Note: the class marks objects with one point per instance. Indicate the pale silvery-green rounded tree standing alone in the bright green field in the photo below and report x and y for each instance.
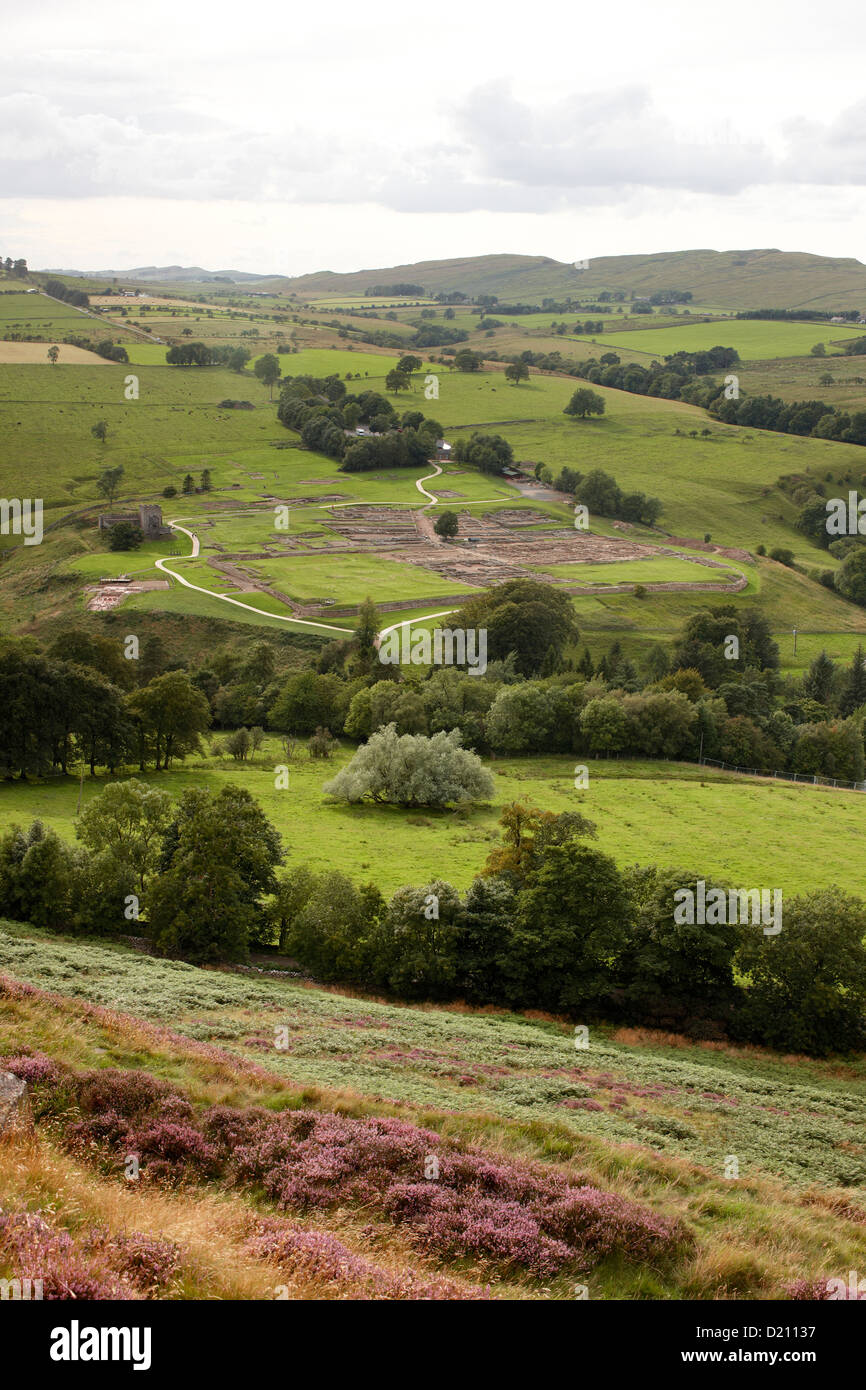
(414, 771)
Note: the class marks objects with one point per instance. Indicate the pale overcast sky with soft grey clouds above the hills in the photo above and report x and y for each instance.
(288, 140)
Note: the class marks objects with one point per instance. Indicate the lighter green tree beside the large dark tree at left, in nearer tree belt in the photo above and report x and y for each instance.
(129, 819)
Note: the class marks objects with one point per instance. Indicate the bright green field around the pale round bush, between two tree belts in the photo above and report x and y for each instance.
(747, 831)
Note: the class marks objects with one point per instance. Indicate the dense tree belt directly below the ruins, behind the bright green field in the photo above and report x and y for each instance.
(718, 693)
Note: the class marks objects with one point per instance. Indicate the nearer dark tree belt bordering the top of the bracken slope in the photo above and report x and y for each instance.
(550, 924)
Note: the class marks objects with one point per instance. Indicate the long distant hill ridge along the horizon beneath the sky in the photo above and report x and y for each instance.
(730, 280)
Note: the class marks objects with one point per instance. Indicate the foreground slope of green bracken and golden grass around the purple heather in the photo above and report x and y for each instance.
(662, 1125)
